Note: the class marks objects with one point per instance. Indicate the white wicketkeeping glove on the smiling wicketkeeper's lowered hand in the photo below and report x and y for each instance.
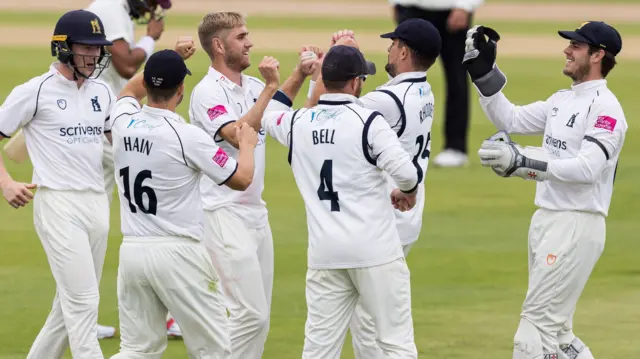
(508, 159)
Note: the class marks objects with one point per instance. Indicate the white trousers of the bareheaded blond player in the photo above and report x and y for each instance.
(243, 258)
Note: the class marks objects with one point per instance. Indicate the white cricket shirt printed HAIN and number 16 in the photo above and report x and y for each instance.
(158, 160)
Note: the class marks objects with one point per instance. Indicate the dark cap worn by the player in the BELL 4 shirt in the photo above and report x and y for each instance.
(342, 63)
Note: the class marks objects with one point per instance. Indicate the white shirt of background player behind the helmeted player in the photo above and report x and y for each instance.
(117, 23)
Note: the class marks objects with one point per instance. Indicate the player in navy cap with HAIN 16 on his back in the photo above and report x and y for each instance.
(159, 159)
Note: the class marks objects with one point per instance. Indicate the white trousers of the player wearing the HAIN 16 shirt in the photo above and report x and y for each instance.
(157, 274)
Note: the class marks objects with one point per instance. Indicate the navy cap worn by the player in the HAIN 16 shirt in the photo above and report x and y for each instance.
(165, 69)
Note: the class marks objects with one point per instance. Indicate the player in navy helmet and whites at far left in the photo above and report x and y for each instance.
(63, 113)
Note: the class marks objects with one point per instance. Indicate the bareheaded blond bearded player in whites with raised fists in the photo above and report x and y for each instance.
(236, 222)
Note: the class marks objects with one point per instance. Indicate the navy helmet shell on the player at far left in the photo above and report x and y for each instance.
(80, 27)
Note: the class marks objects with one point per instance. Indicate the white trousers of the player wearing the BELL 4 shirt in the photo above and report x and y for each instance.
(332, 294)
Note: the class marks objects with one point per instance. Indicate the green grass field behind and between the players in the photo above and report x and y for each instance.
(469, 270)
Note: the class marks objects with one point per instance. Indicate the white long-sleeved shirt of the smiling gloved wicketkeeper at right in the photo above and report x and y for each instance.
(584, 130)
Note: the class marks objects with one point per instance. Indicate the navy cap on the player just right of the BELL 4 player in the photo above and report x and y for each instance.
(420, 35)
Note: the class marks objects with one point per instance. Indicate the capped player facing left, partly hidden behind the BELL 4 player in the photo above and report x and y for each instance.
(406, 103)
